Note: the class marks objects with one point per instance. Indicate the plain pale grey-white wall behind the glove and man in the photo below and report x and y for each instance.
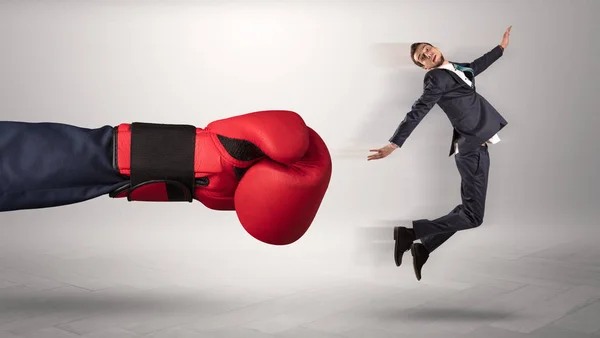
(343, 65)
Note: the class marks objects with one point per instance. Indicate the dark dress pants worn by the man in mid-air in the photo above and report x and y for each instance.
(473, 168)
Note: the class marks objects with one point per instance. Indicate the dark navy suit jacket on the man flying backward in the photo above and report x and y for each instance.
(474, 119)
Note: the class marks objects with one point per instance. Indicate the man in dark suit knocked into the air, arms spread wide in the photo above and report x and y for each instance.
(476, 124)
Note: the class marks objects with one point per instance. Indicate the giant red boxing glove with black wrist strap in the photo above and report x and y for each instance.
(268, 166)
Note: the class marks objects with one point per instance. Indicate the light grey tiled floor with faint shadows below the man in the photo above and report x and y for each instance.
(63, 277)
